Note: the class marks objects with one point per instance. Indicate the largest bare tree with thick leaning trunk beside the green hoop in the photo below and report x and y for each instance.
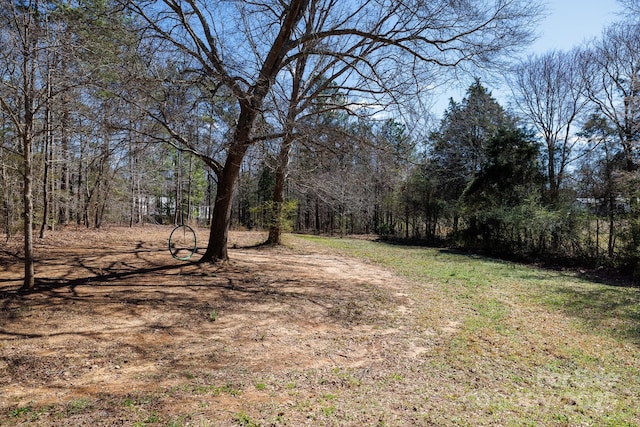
(244, 46)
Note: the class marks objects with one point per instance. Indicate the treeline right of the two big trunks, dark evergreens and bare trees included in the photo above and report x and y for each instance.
(555, 180)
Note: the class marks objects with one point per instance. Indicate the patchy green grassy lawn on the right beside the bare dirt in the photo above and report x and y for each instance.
(508, 344)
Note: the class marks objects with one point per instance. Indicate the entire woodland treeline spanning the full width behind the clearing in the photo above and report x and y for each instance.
(103, 122)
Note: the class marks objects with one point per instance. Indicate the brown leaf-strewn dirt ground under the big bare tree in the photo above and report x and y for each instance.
(120, 333)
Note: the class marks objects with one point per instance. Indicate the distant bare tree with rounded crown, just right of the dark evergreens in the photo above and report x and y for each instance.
(548, 89)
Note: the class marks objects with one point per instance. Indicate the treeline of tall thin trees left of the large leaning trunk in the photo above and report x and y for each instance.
(78, 144)
